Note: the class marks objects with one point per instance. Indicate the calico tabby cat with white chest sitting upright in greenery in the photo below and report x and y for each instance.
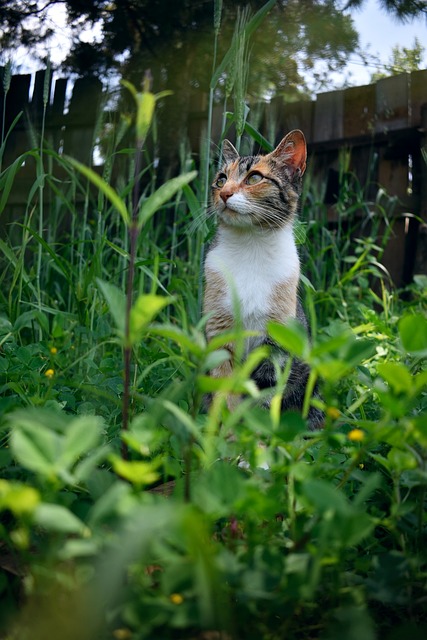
(254, 257)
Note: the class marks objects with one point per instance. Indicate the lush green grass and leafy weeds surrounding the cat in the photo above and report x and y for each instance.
(216, 524)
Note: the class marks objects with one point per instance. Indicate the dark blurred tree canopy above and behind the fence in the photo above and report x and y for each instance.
(175, 40)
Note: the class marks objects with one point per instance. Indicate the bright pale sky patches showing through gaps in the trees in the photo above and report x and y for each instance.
(378, 33)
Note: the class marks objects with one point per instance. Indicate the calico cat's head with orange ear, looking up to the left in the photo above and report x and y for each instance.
(260, 191)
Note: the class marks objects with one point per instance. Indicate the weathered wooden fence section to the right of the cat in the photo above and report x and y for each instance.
(384, 128)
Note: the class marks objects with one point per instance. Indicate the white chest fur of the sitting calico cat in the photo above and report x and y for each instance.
(253, 262)
